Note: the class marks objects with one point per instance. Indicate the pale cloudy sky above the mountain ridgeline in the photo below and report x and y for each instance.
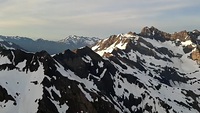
(57, 19)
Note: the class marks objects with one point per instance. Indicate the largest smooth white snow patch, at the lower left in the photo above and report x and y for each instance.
(20, 86)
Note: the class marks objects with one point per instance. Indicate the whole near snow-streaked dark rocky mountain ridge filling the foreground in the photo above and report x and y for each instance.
(149, 72)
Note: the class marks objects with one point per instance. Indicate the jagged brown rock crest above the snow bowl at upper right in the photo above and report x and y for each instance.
(177, 37)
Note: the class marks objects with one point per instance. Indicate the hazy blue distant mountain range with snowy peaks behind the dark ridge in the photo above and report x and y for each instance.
(52, 47)
